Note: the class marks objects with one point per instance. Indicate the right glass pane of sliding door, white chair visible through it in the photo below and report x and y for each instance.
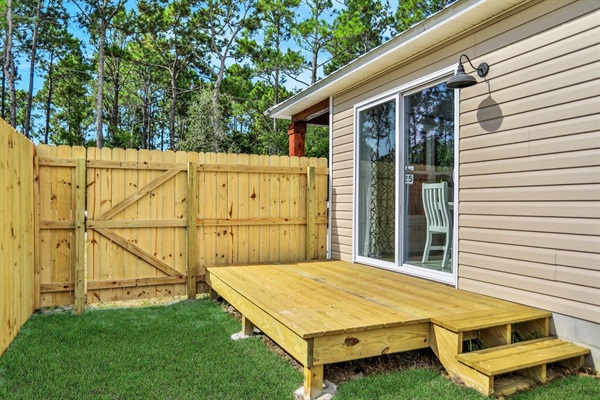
(429, 159)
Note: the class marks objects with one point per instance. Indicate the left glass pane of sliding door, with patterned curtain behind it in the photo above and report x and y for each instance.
(376, 181)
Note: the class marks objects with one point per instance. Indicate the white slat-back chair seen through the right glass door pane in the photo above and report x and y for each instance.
(439, 219)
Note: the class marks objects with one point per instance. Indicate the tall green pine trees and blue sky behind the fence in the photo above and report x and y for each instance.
(180, 74)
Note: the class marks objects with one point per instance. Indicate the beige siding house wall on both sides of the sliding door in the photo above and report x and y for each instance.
(529, 151)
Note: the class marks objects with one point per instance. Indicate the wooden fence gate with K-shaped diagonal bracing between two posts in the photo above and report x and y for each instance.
(136, 220)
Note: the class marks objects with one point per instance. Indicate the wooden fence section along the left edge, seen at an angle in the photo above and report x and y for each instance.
(16, 232)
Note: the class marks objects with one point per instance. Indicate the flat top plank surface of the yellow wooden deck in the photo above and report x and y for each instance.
(331, 297)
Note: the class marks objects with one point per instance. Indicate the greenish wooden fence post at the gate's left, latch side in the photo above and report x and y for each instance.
(80, 235)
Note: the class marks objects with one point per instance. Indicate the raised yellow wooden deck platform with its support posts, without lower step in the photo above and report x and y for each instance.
(324, 312)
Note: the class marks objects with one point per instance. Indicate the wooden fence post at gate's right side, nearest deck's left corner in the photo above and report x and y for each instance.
(192, 240)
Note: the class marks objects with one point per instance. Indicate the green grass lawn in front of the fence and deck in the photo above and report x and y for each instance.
(184, 351)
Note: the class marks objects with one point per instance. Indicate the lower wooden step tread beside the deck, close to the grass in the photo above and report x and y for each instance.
(522, 355)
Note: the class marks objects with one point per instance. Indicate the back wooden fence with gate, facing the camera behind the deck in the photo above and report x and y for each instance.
(155, 219)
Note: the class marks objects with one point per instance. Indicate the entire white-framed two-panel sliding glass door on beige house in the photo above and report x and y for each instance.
(405, 155)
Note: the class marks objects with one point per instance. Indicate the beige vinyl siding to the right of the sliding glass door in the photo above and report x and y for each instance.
(529, 225)
